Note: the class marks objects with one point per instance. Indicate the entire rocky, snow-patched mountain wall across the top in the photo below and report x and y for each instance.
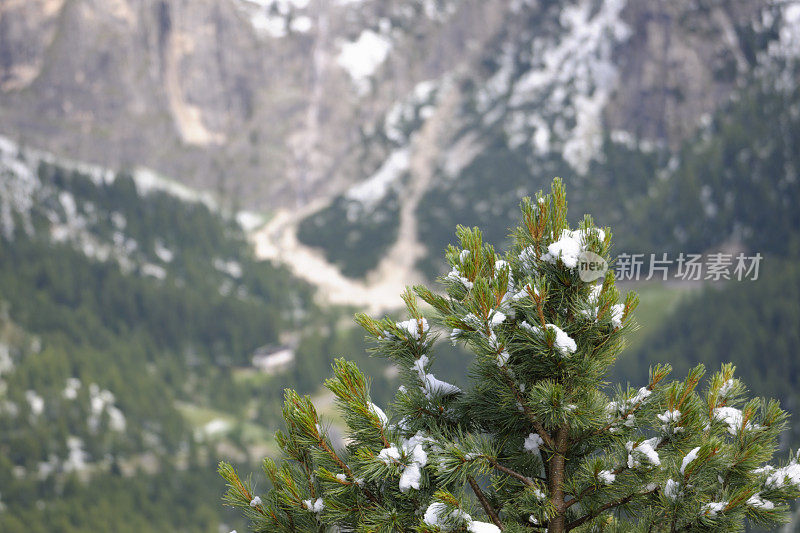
(355, 118)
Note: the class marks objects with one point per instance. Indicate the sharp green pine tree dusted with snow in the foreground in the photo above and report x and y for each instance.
(538, 441)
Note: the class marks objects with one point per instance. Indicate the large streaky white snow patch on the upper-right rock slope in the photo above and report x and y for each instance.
(558, 102)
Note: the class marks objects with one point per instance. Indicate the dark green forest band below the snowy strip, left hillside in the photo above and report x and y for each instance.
(61, 290)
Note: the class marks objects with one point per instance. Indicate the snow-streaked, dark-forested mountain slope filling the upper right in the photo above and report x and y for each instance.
(575, 92)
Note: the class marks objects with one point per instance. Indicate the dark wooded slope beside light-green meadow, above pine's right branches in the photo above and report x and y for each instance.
(752, 324)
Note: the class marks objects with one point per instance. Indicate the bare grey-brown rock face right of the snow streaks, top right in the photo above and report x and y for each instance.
(679, 63)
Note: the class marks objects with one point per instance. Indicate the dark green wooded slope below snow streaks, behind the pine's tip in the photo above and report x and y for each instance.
(486, 191)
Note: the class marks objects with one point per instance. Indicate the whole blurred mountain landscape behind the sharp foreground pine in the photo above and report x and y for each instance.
(196, 195)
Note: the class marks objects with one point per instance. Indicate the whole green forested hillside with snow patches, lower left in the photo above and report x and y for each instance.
(126, 315)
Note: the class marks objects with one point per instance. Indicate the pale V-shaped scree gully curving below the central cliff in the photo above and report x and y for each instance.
(380, 292)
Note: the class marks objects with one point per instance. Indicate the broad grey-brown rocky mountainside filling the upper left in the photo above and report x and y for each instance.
(273, 92)
